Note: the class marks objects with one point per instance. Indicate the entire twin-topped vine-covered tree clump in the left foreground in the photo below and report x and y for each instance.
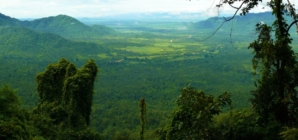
(66, 95)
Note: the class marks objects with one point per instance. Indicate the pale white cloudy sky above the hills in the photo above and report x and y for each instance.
(105, 8)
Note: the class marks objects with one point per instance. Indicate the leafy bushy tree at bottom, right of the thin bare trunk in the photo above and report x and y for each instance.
(193, 117)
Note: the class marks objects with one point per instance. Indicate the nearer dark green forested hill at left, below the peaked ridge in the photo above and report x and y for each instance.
(23, 42)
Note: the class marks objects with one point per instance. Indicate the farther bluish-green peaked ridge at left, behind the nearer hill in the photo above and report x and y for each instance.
(62, 25)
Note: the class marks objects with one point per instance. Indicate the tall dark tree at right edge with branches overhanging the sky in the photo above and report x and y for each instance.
(275, 96)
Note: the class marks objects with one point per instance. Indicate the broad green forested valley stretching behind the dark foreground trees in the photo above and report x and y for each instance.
(154, 63)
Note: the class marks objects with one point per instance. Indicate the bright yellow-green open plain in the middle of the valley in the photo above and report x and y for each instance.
(174, 46)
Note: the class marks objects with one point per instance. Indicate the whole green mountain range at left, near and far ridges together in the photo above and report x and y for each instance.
(48, 38)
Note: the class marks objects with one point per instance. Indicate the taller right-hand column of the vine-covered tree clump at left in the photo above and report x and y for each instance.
(78, 91)
